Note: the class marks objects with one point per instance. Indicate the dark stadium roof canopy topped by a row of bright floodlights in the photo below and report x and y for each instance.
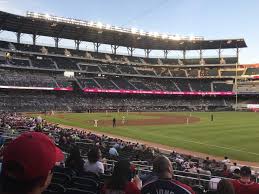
(59, 27)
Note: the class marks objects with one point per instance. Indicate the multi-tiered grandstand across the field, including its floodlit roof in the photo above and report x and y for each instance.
(34, 77)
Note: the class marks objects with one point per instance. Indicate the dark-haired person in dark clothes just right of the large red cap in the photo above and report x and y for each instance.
(74, 160)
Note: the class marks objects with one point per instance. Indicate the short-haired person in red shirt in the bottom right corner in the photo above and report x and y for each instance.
(245, 185)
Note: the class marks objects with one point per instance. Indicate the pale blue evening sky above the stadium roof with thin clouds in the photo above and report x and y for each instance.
(212, 19)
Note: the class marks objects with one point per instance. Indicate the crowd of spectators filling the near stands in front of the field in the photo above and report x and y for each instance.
(39, 157)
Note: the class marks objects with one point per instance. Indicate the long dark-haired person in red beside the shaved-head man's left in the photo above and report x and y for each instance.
(120, 182)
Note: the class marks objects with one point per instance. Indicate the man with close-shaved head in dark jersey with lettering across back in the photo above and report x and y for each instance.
(162, 167)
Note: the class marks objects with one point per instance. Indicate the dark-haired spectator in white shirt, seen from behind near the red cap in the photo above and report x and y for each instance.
(93, 163)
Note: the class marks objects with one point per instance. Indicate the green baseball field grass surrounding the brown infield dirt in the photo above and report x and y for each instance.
(235, 134)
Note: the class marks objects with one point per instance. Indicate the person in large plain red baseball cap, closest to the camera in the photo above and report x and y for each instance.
(27, 164)
